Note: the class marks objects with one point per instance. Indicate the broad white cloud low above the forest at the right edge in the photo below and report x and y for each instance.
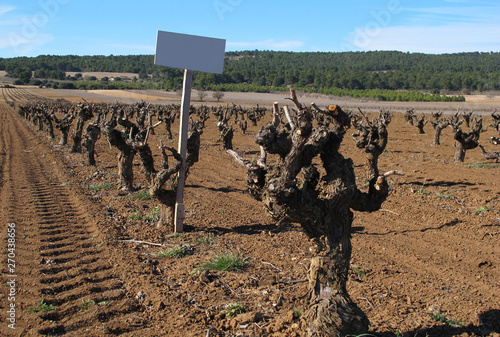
(451, 38)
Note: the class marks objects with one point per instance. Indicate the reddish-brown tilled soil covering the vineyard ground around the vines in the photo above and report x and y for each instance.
(432, 249)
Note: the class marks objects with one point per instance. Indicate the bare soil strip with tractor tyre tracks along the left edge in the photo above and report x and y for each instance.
(58, 256)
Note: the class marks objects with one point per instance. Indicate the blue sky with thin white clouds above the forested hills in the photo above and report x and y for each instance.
(90, 27)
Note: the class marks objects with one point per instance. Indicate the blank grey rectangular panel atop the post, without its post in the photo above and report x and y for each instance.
(190, 52)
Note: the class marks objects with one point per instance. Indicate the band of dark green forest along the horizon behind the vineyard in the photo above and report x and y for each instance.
(381, 75)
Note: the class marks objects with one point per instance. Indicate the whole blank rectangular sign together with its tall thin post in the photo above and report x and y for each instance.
(188, 52)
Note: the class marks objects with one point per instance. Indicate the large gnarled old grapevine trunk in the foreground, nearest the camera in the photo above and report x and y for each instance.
(321, 204)
